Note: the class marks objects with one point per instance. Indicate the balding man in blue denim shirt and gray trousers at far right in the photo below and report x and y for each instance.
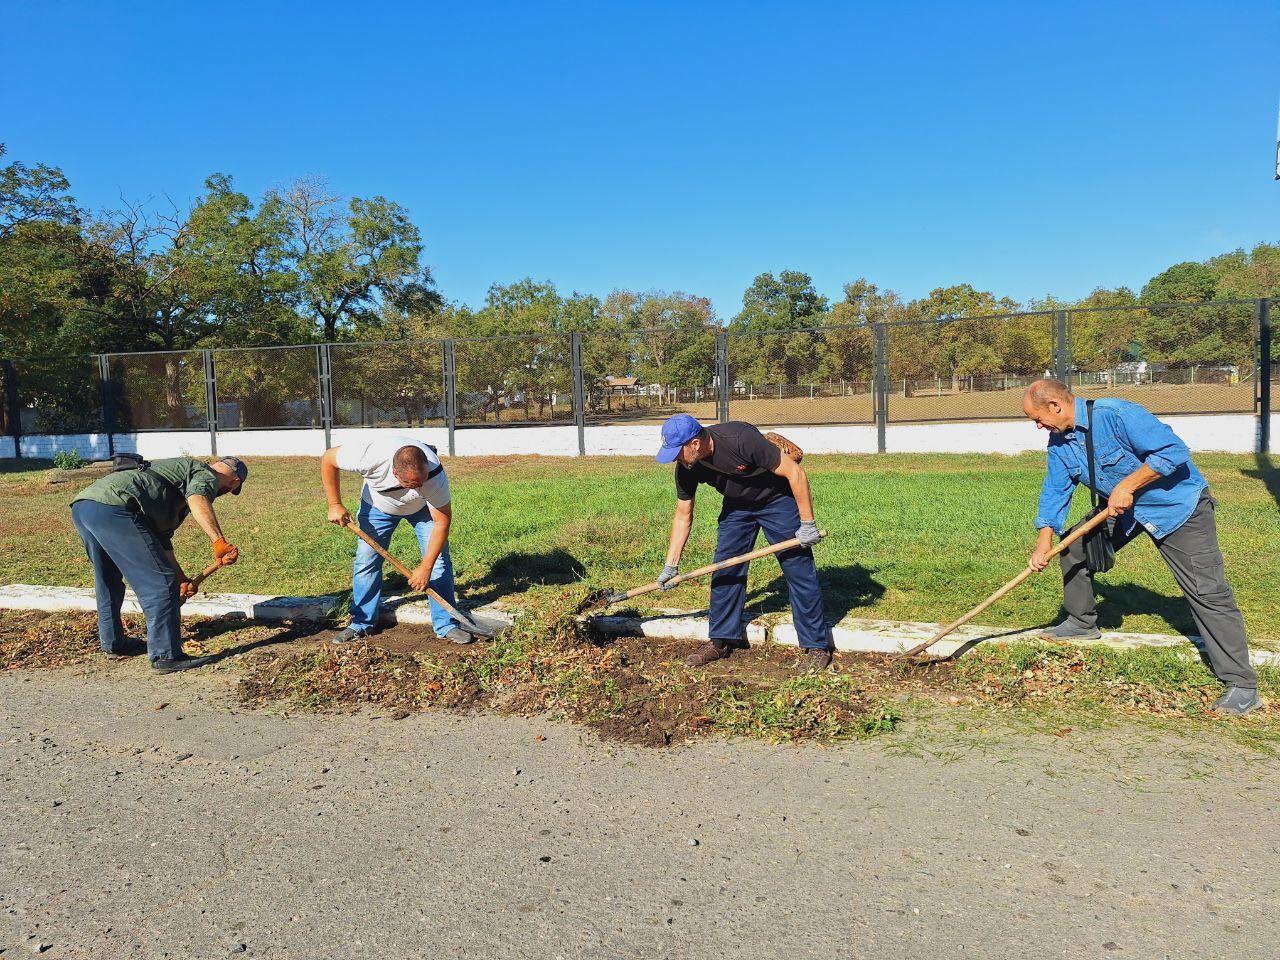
(1151, 486)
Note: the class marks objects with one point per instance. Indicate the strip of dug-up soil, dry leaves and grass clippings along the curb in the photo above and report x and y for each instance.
(638, 691)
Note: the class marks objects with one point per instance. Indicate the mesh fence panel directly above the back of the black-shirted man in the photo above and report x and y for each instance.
(812, 377)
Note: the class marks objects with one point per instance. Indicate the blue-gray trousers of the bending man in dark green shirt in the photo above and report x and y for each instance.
(122, 547)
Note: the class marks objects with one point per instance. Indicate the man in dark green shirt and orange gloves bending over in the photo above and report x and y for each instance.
(127, 520)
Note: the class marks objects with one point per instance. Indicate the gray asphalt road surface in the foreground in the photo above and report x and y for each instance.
(193, 830)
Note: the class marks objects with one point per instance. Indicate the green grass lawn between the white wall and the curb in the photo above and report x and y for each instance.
(913, 537)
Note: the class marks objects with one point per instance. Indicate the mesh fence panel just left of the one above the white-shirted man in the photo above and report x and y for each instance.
(273, 387)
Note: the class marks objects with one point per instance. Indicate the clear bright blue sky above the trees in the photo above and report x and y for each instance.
(1023, 148)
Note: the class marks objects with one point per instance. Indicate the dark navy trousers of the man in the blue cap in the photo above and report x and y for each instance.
(780, 519)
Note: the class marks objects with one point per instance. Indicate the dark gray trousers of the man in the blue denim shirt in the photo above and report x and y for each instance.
(1196, 560)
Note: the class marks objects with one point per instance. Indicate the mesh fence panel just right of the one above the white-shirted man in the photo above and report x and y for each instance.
(514, 381)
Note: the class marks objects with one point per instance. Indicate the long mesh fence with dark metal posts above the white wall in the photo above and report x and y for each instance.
(1199, 359)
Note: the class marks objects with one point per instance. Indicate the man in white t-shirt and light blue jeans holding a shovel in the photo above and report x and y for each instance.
(404, 481)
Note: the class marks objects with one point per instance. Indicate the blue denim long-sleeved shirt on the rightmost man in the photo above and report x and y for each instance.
(1126, 436)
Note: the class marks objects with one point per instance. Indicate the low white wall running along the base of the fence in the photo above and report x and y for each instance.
(1229, 433)
